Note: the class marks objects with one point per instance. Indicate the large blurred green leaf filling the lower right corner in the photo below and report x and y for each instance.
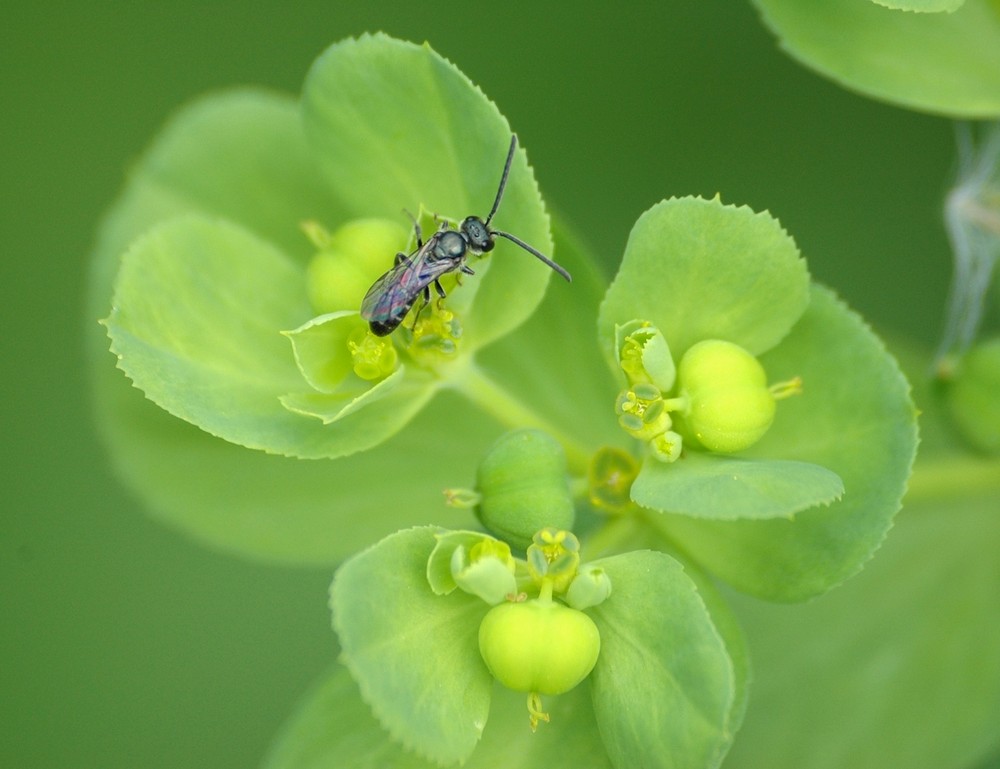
(899, 666)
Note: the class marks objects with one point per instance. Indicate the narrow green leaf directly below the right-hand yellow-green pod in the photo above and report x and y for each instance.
(728, 488)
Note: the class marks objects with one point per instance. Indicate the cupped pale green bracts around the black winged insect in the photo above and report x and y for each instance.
(200, 301)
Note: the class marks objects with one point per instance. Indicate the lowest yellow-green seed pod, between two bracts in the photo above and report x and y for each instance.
(539, 645)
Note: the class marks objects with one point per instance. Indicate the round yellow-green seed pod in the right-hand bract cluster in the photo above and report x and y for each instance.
(730, 406)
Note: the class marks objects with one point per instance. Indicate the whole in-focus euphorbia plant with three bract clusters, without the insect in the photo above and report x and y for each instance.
(728, 420)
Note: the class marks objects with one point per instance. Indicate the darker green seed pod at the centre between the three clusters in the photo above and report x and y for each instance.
(523, 487)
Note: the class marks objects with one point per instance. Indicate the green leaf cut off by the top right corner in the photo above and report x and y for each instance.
(947, 63)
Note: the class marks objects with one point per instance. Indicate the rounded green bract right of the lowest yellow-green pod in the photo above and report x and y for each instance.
(664, 685)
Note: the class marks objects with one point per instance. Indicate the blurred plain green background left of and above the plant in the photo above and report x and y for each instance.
(123, 644)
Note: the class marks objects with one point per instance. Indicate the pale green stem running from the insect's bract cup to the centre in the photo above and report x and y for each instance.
(490, 396)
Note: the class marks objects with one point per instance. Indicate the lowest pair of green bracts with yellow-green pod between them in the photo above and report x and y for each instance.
(417, 648)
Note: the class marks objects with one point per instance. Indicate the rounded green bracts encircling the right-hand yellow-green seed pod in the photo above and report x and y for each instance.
(697, 270)
